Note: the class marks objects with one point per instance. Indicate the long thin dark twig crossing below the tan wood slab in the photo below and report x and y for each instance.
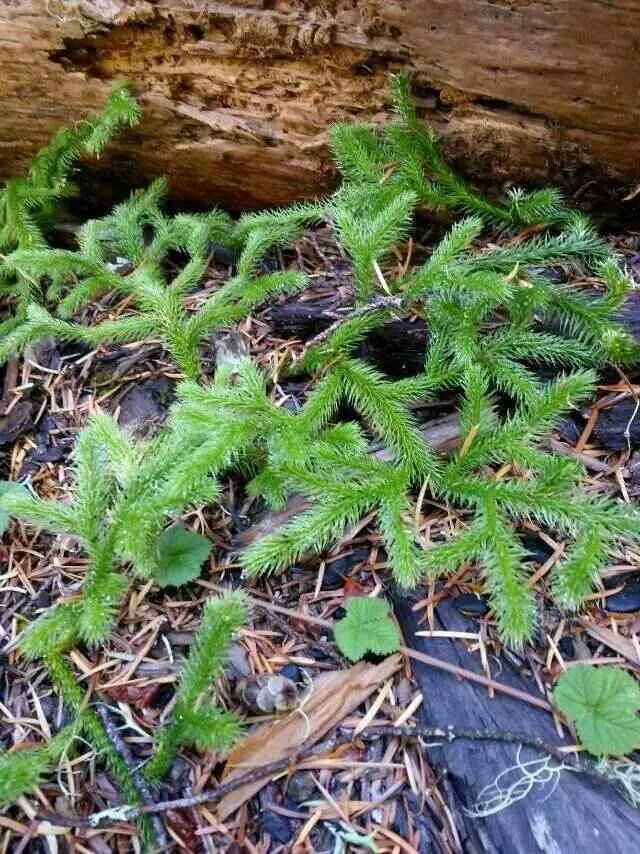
(437, 734)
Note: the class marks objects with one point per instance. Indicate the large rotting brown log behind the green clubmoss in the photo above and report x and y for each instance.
(238, 96)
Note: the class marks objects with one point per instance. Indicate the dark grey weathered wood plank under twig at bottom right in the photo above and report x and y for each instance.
(573, 816)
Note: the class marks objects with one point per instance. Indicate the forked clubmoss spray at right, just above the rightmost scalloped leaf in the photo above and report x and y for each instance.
(537, 487)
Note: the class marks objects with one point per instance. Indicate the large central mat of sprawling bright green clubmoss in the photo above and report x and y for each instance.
(494, 320)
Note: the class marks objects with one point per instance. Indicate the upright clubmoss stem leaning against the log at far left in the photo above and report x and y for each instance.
(28, 204)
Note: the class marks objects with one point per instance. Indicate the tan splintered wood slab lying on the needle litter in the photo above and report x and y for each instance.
(333, 696)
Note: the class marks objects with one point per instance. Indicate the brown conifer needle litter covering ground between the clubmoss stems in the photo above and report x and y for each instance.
(388, 792)
